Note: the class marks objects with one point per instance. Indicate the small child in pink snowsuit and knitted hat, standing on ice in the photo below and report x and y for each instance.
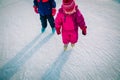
(67, 21)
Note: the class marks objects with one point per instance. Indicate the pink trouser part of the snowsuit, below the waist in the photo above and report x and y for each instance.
(69, 36)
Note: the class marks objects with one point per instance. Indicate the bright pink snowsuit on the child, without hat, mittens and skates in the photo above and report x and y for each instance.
(69, 24)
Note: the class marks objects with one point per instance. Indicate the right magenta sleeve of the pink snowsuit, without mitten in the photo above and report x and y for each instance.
(80, 20)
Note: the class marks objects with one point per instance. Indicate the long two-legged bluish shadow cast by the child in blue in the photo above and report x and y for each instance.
(11, 67)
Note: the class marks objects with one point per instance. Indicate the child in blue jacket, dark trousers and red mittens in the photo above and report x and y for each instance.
(46, 9)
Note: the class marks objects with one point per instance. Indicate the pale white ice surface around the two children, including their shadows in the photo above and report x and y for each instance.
(26, 54)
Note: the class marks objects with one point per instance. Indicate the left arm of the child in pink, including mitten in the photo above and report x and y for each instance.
(58, 23)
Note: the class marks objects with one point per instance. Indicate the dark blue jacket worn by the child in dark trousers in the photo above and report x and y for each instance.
(45, 8)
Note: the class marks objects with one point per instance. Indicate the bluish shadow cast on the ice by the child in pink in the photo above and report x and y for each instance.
(53, 73)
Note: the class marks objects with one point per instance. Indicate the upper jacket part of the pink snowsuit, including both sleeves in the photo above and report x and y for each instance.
(69, 21)
